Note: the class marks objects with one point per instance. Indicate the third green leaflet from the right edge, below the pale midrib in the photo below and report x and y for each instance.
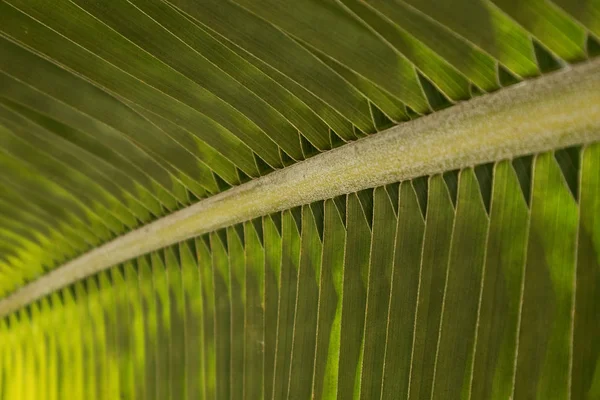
(499, 312)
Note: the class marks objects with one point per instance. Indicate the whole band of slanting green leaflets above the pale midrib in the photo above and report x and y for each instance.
(115, 114)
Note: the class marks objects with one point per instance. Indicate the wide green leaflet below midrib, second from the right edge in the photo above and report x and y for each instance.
(546, 335)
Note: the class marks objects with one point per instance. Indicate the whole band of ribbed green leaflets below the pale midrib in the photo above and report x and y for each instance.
(361, 296)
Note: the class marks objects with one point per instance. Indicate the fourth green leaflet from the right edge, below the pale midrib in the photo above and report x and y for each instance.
(460, 306)
